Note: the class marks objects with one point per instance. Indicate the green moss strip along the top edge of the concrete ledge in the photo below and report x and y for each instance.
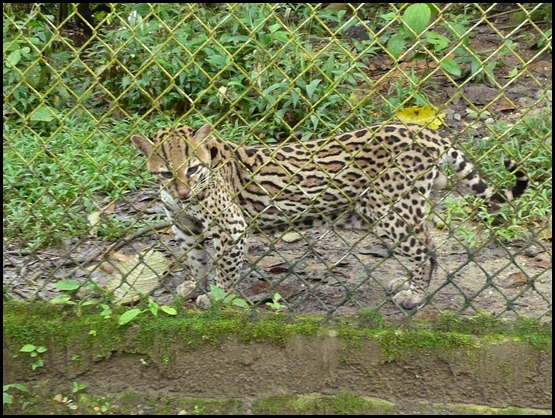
(48, 325)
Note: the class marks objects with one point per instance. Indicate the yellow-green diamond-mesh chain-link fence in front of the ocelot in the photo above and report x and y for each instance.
(84, 223)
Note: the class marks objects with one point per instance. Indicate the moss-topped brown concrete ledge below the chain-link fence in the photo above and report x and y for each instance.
(244, 356)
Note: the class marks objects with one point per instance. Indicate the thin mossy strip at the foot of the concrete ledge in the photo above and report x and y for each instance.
(133, 403)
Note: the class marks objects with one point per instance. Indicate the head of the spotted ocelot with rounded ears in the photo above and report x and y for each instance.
(180, 158)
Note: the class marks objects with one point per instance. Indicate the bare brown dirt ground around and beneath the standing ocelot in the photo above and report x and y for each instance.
(320, 271)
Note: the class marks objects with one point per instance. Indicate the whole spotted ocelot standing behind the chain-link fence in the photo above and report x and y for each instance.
(382, 175)
